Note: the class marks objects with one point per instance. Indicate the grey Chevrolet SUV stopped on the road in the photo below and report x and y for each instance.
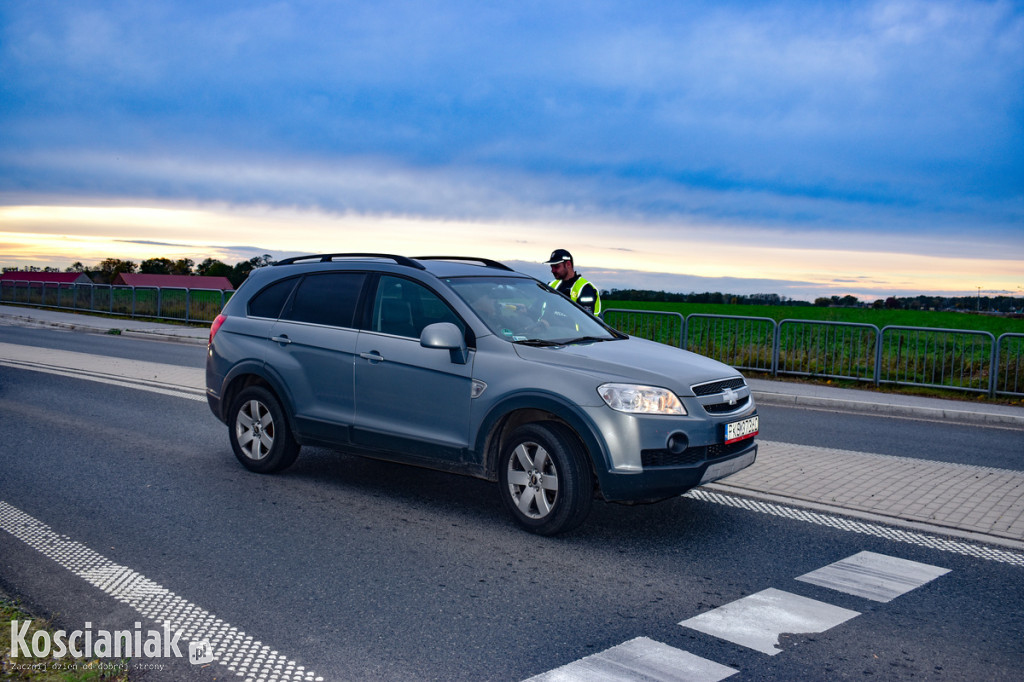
(466, 366)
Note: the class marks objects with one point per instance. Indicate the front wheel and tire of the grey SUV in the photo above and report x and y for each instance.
(544, 479)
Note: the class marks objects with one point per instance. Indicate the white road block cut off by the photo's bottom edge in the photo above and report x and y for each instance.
(636, 661)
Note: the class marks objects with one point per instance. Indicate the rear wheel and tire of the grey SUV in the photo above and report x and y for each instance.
(260, 433)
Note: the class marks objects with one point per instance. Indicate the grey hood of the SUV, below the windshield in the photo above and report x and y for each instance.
(633, 361)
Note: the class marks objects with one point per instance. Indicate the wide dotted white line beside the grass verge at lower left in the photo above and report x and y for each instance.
(232, 648)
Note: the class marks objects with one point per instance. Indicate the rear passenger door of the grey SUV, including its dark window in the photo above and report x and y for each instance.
(313, 347)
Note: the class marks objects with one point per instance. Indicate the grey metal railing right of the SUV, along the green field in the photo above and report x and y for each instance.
(949, 359)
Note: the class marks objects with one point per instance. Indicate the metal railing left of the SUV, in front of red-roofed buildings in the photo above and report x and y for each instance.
(160, 304)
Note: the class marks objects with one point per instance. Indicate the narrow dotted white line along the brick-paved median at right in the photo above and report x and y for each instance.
(898, 535)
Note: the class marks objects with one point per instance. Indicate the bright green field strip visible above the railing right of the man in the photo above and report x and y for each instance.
(935, 320)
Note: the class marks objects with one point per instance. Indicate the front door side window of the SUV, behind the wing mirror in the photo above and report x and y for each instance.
(404, 308)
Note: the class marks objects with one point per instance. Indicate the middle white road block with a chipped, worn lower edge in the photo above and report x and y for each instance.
(757, 622)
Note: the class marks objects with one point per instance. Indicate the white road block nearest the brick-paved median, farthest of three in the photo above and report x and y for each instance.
(874, 577)
